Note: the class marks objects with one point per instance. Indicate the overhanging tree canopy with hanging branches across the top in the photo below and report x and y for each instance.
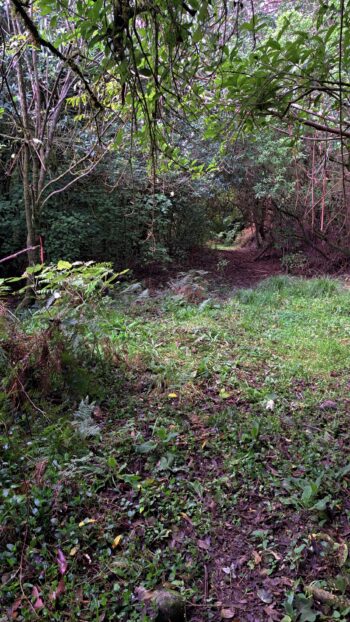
(181, 86)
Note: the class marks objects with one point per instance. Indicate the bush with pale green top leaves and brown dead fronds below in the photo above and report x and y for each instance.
(44, 350)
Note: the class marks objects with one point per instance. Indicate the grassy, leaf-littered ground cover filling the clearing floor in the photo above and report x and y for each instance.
(211, 458)
